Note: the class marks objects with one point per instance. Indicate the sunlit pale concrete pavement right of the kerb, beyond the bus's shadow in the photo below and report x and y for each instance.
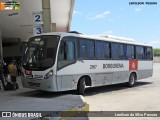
(145, 96)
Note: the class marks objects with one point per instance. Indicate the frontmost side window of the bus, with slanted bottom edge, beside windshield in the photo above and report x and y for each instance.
(66, 54)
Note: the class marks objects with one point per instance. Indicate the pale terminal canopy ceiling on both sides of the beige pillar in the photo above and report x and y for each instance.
(19, 23)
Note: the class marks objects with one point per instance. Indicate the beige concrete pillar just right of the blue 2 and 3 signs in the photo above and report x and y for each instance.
(46, 16)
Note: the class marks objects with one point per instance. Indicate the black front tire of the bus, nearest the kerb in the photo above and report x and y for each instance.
(81, 86)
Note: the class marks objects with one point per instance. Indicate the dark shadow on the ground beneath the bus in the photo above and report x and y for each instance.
(88, 91)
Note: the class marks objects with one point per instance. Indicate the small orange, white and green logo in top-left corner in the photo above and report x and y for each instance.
(10, 5)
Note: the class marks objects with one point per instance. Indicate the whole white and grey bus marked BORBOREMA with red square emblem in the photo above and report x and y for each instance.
(71, 61)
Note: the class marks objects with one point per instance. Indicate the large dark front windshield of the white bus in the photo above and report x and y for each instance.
(40, 52)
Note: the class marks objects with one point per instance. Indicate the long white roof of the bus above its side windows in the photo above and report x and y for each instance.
(108, 38)
